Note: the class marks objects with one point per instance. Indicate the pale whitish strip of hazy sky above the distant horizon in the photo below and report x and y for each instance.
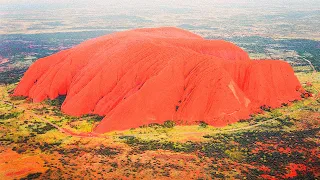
(294, 4)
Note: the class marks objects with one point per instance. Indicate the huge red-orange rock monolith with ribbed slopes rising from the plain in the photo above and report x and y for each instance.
(148, 76)
